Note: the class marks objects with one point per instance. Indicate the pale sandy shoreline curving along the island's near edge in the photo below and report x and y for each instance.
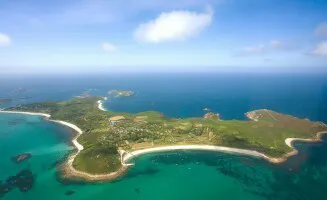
(68, 171)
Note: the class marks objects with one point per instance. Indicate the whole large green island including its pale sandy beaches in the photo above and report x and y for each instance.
(105, 141)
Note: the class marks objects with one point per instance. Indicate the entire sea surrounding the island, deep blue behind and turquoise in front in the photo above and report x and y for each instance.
(190, 175)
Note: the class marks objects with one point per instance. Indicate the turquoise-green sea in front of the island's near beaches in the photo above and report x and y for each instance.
(171, 175)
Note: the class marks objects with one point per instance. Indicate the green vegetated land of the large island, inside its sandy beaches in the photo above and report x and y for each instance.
(106, 132)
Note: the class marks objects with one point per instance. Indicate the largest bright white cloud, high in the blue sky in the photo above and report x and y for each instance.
(174, 26)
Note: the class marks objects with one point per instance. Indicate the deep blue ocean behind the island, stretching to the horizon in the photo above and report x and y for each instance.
(184, 95)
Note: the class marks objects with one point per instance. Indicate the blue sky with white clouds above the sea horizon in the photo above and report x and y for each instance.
(162, 35)
